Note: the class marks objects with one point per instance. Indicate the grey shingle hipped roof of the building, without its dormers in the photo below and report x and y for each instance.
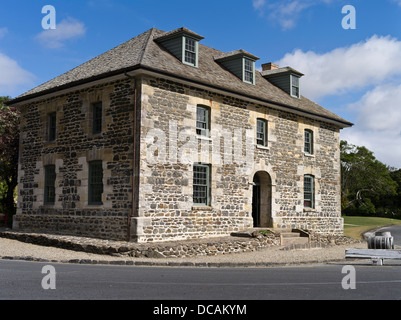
(143, 51)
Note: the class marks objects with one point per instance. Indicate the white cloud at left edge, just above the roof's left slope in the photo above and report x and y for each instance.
(14, 79)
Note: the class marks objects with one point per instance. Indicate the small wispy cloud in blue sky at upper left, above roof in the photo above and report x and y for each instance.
(65, 30)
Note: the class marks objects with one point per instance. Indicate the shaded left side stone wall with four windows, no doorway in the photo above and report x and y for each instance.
(74, 147)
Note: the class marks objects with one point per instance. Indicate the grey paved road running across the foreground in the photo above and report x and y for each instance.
(23, 280)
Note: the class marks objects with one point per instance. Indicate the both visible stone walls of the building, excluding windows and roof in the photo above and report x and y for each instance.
(167, 148)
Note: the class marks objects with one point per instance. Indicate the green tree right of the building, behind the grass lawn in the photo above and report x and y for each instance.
(363, 179)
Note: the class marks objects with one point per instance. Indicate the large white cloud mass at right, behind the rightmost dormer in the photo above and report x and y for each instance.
(372, 67)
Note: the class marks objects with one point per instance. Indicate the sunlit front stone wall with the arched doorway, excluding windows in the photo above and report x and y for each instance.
(168, 123)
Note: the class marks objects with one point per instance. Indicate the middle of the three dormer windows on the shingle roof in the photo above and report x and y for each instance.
(240, 63)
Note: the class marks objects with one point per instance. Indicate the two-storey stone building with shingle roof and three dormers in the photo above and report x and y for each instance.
(163, 138)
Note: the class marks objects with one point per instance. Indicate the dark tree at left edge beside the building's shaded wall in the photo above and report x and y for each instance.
(9, 147)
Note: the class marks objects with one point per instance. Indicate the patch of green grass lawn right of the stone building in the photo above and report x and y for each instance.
(355, 226)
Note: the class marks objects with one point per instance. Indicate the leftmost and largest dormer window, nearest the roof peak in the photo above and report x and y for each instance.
(183, 44)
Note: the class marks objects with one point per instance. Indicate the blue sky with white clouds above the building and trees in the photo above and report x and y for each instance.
(351, 59)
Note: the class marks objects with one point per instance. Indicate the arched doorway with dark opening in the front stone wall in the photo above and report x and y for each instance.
(262, 200)
